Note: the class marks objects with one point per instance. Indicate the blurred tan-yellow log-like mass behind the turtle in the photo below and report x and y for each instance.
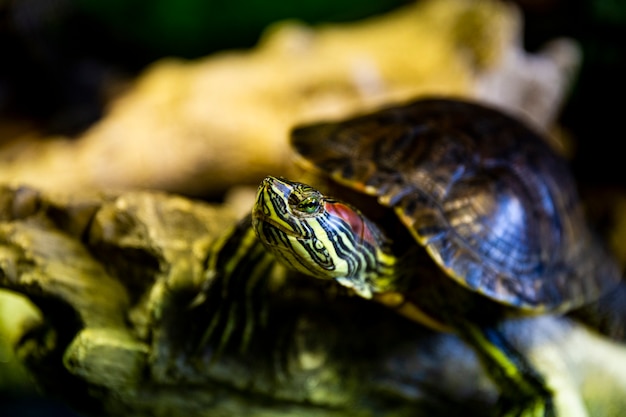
(200, 127)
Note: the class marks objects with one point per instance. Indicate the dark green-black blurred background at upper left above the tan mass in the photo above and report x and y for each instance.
(60, 56)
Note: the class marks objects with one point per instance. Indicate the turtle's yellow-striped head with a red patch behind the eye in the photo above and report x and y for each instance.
(322, 237)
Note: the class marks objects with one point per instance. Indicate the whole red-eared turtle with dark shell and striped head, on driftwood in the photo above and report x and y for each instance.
(459, 215)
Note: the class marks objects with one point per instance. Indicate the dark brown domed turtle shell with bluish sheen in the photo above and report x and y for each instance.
(495, 207)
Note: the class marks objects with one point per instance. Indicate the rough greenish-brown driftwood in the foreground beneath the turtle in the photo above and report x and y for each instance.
(117, 276)
